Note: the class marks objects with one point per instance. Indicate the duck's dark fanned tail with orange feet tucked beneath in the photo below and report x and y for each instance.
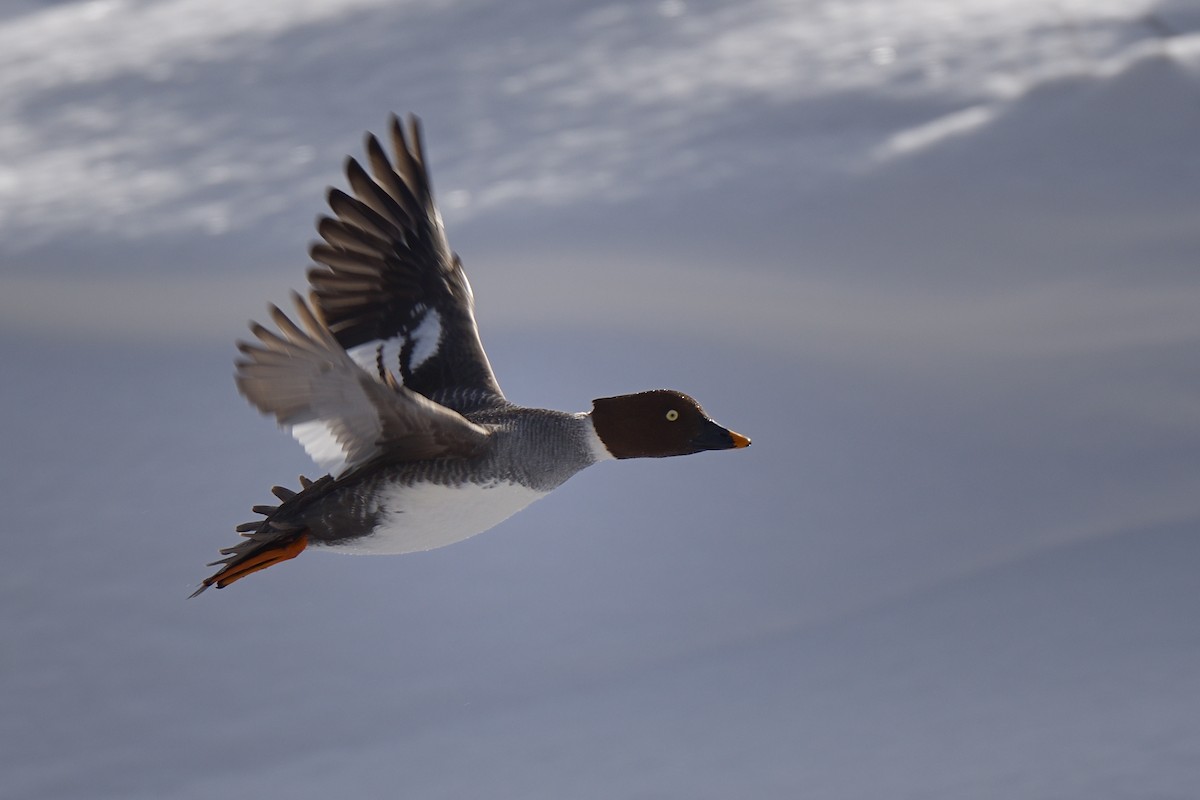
(268, 542)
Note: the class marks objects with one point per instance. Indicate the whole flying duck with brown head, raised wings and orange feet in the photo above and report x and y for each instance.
(382, 377)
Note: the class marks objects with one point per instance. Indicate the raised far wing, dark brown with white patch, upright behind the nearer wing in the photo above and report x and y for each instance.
(391, 288)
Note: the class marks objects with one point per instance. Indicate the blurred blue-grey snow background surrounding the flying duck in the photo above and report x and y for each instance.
(939, 261)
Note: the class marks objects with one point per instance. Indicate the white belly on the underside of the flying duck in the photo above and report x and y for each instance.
(425, 518)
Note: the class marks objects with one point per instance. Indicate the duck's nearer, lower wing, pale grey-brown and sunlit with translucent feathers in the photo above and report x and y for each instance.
(341, 414)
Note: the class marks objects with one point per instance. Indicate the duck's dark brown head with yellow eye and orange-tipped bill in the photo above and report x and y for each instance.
(658, 424)
